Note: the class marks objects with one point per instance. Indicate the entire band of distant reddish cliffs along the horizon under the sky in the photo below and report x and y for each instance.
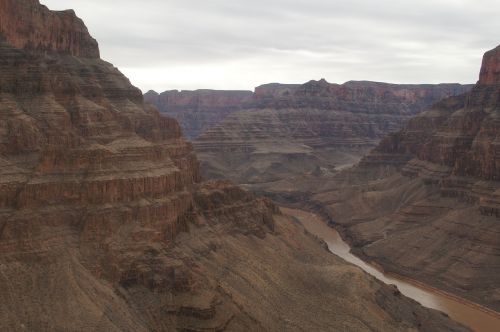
(199, 111)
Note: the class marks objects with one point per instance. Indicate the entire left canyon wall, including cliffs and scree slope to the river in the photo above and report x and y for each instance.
(106, 224)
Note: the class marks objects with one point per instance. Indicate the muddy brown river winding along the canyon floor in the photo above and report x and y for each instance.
(470, 314)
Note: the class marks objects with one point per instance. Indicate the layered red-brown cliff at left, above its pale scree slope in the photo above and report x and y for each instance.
(79, 150)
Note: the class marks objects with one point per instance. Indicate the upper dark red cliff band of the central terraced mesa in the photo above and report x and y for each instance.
(356, 96)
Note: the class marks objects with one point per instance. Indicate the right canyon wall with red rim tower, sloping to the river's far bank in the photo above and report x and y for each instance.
(425, 202)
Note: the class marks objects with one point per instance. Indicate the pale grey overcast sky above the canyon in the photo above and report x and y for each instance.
(234, 44)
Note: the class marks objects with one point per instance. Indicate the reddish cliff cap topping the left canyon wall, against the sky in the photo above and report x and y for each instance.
(28, 25)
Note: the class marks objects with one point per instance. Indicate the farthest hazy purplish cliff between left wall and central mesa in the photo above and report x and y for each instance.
(198, 110)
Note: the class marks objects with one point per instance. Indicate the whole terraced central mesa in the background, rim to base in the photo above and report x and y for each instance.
(291, 130)
